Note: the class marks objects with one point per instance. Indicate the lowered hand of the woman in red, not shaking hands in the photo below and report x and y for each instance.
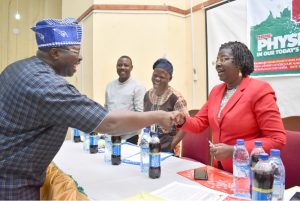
(221, 151)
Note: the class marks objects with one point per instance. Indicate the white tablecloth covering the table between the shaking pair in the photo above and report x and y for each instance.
(103, 181)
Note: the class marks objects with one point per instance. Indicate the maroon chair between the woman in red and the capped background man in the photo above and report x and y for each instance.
(195, 146)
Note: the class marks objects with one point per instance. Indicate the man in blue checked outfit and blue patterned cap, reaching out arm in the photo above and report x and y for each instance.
(37, 105)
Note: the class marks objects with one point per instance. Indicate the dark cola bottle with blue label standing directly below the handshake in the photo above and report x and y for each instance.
(154, 156)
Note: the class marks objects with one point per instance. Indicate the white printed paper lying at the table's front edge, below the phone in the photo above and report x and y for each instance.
(180, 191)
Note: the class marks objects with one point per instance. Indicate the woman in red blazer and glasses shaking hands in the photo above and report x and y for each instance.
(240, 108)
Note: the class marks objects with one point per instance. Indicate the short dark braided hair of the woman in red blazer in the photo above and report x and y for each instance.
(242, 56)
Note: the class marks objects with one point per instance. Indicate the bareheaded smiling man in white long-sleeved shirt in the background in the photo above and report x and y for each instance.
(125, 93)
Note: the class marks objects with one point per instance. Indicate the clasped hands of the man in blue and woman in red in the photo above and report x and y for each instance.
(168, 119)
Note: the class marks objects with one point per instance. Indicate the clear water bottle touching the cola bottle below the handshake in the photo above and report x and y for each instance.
(144, 146)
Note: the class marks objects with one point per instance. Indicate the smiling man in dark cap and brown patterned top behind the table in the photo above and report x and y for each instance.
(164, 97)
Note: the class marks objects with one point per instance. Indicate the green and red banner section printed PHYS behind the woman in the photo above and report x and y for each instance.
(275, 44)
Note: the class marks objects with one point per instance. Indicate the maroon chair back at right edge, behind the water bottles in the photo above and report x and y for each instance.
(291, 160)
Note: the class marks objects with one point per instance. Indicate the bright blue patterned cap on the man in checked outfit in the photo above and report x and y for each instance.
(57, 32)
